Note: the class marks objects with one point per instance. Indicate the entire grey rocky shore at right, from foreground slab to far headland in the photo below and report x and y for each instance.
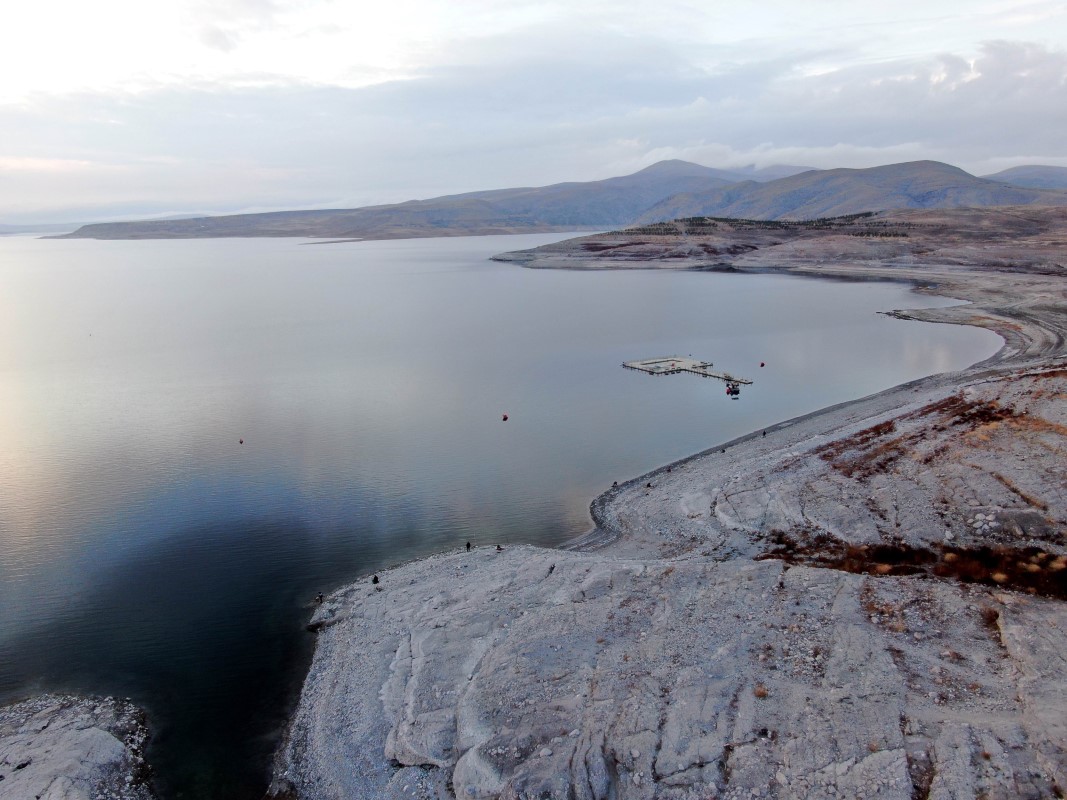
(867, 602)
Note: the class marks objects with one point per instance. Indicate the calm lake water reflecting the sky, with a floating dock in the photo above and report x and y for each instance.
(146, 552)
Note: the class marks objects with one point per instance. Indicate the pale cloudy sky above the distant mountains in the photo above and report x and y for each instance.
(126, 109)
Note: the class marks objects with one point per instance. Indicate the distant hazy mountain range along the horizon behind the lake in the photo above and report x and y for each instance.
(663, 191)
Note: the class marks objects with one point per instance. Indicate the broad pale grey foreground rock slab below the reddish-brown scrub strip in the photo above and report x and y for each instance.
(752, 675)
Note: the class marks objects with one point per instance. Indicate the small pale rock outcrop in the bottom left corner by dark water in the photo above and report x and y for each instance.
(66, 748)
